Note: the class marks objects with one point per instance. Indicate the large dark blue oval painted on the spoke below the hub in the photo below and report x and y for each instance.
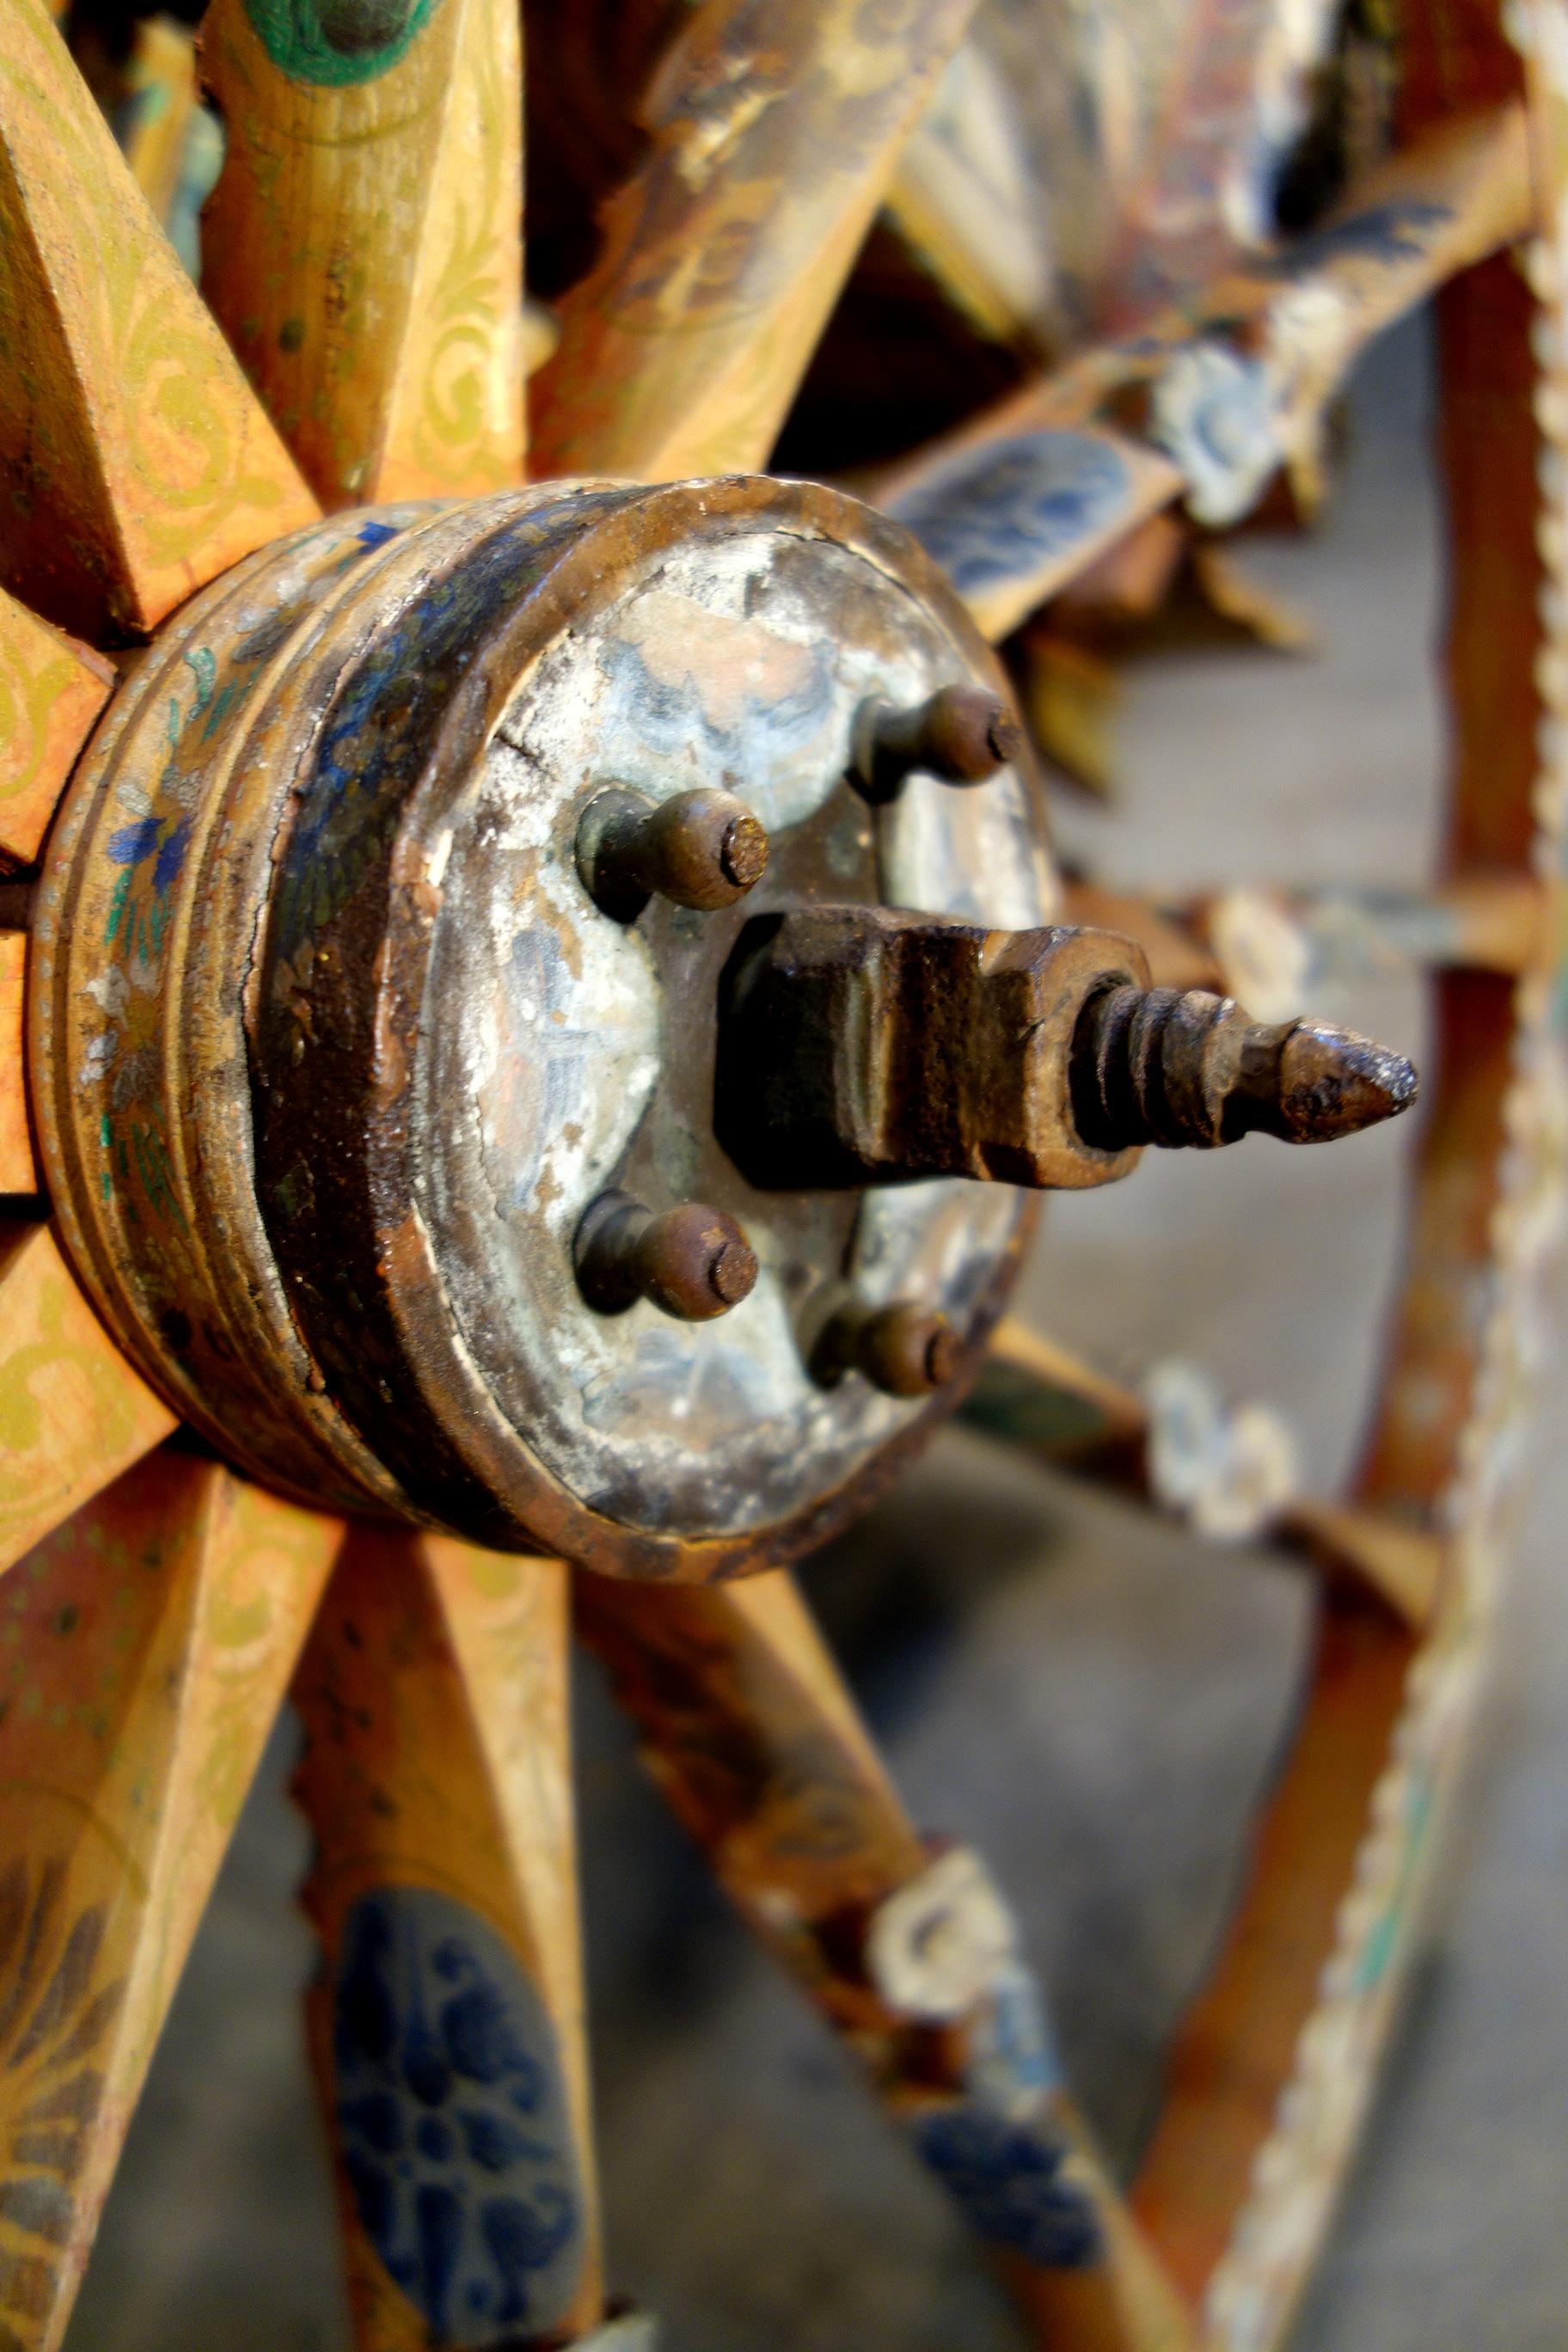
(453, 2120)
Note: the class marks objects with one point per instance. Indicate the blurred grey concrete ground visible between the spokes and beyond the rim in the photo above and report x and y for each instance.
(1083, 1695)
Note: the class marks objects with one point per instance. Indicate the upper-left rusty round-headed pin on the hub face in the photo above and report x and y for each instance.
(699, 850)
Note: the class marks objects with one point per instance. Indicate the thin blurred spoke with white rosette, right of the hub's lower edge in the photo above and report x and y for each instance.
(1224, 1471)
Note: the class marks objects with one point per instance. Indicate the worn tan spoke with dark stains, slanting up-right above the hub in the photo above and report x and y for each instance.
(777, 126)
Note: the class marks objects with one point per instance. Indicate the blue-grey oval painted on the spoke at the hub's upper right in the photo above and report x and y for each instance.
(1007, 509)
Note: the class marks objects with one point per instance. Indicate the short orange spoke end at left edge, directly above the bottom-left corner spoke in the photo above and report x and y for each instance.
(72, 1410)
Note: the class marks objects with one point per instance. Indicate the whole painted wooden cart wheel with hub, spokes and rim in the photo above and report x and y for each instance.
(490, 958)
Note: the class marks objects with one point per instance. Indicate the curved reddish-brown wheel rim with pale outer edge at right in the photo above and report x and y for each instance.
(1466, 1335)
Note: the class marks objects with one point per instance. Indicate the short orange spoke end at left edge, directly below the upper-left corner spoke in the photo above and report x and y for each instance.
(51, 695)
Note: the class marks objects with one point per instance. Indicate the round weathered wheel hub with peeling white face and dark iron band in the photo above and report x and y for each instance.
(342, 1050)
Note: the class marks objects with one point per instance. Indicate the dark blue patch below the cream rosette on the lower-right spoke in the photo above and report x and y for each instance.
(1007, 2181)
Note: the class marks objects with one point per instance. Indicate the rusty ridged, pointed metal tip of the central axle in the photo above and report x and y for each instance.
(1158, 1067)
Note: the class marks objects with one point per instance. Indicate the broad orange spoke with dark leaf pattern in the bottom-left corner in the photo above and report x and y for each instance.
(149, 1645)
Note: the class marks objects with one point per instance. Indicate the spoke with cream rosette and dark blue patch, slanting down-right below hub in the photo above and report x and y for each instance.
(763, 1756)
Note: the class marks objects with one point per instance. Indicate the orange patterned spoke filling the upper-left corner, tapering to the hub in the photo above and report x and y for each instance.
(133, 455)
